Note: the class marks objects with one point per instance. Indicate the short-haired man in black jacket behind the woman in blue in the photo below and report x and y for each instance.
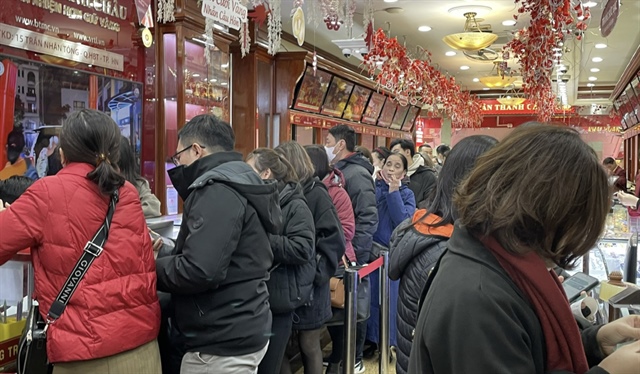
(422, 179)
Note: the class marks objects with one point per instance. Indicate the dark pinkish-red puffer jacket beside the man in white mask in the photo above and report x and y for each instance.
(335, 184)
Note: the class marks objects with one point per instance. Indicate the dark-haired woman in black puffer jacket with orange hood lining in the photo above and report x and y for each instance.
(417, 244)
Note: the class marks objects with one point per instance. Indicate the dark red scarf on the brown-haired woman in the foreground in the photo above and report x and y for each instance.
(546, 294)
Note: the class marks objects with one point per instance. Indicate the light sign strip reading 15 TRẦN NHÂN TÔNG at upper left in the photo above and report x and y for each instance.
(35, 42)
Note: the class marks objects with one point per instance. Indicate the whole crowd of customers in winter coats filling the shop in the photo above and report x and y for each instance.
(473, 233)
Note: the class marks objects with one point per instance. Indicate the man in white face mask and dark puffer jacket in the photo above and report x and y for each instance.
(340, 147)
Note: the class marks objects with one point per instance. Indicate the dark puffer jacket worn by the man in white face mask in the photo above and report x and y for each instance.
(357, 173)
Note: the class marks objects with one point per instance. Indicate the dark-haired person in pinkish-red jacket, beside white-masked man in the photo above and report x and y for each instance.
(333, 179)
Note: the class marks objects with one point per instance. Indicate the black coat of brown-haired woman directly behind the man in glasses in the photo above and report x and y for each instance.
(291, 281)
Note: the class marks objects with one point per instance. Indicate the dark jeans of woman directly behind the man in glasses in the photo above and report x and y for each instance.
(280, 333)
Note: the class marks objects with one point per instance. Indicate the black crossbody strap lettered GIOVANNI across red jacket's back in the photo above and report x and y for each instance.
(91, 251)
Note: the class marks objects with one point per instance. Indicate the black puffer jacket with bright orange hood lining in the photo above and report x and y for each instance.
(414, 250)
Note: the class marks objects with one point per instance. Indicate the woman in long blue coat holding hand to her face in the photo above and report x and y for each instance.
(395, 202)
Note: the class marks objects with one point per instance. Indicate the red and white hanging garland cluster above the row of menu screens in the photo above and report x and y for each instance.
(419, 81)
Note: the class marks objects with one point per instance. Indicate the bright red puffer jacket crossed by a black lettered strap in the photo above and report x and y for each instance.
(115, 307)
